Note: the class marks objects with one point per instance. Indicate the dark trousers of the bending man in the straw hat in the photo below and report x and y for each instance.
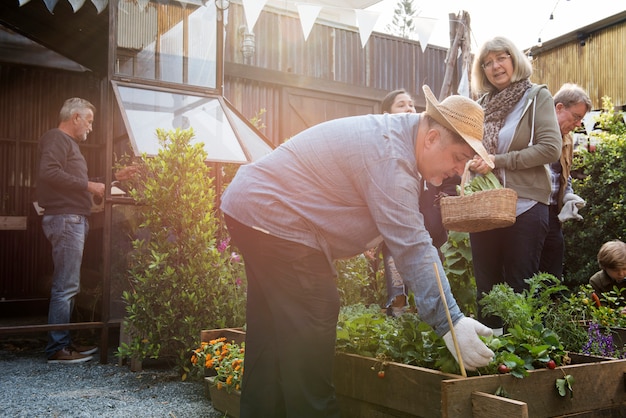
(291, 325)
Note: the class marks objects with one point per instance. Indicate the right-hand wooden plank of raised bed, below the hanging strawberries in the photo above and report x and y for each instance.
(597, 386)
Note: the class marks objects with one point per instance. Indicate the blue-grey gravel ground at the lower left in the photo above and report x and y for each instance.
(30, 387)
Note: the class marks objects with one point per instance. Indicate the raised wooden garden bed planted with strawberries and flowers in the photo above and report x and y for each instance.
(408, 391)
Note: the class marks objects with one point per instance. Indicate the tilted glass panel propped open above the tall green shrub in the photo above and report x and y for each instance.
(146, 110)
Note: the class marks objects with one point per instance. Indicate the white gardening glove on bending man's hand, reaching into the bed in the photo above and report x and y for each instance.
(474, 352)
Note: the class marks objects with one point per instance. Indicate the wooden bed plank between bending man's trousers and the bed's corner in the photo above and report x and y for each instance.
(409, 390)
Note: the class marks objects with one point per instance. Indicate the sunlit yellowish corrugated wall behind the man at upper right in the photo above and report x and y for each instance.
(599, 66)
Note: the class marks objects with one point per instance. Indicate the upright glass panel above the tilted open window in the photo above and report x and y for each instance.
(174, 42)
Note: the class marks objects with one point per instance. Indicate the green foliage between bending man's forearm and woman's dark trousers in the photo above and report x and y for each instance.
(460, 271)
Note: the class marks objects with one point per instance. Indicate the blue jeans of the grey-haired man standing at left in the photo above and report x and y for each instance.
(66, 234)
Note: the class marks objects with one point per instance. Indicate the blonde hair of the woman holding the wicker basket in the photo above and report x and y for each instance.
(521, 64)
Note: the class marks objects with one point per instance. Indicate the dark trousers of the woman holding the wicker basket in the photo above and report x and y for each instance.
(508, 255)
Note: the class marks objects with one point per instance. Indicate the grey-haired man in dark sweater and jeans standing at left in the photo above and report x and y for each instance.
(65, 193)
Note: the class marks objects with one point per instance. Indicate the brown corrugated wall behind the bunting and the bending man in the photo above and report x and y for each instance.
(331, 60)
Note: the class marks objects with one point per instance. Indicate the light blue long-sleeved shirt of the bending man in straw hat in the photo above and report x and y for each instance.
(340, 187)
